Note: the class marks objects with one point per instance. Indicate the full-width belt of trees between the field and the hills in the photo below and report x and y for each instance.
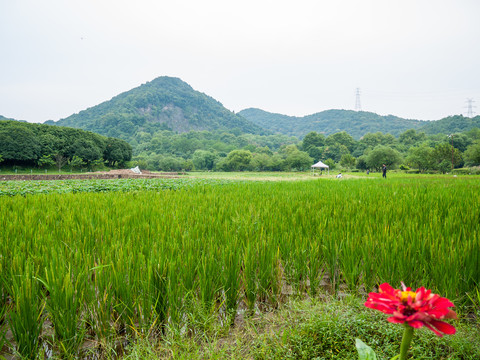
(51, 146)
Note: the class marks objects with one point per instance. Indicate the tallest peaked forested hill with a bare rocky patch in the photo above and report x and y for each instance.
(165, 103)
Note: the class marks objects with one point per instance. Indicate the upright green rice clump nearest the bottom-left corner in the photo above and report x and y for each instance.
(25, 318)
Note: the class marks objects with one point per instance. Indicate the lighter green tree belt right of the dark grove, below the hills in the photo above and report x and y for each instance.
(223, 151)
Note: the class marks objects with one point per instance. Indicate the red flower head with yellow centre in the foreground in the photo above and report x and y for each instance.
(417, 309)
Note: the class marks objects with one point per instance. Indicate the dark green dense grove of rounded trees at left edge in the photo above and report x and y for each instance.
(38, 145)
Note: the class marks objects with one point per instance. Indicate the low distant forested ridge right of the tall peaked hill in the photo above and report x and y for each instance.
(356, 123)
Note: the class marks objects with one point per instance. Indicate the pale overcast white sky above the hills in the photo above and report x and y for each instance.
(417, 59)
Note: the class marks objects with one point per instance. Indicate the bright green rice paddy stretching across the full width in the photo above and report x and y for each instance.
(85, 263)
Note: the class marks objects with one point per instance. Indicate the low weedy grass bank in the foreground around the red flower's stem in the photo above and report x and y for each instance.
(303, 329)
